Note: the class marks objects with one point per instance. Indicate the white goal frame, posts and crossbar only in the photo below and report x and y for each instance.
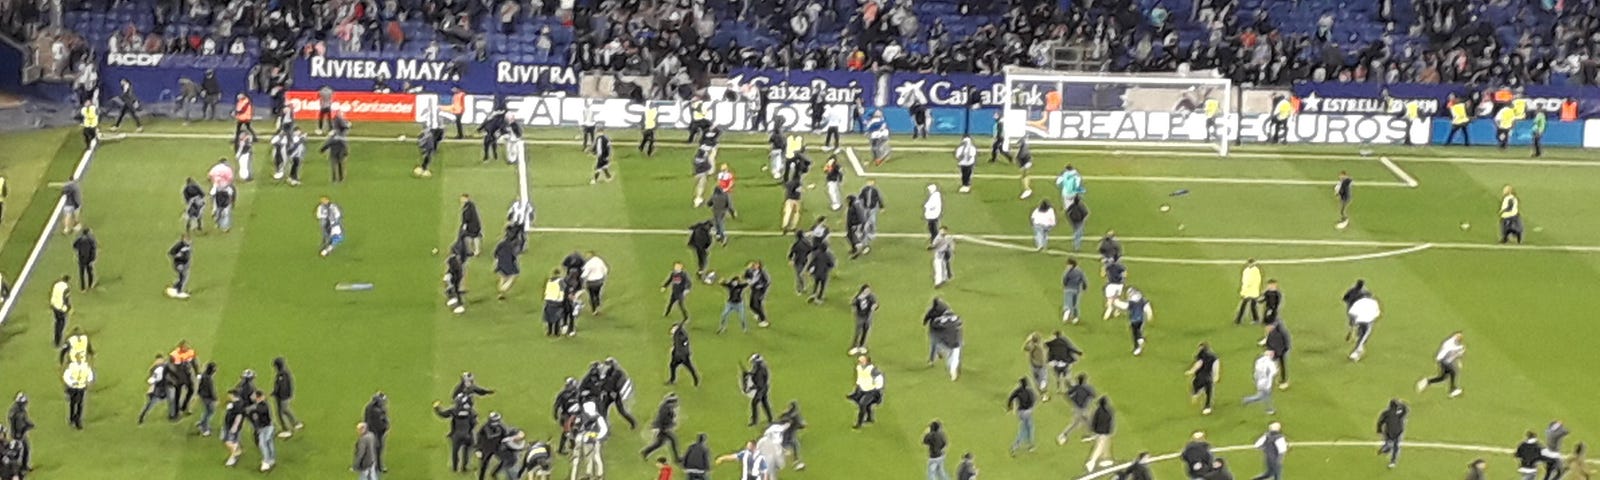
(1226, 121)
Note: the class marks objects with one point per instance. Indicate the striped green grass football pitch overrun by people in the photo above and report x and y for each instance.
(1422, 236)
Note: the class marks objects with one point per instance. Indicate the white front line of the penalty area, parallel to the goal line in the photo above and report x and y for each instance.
(1201, 241)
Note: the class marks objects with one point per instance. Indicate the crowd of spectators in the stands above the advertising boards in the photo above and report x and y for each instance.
(682, 42)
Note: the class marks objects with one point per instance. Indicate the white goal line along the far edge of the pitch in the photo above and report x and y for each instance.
(1151, 153)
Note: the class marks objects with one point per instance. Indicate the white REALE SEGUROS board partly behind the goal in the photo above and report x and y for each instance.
(1178, 127)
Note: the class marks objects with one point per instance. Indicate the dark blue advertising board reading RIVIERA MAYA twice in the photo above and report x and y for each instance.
(410, 74)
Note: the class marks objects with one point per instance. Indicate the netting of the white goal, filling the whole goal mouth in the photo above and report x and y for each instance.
(1151, 111)
